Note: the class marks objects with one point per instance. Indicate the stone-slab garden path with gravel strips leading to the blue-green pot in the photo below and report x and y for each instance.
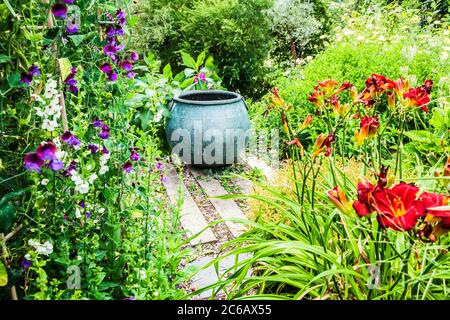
(198, 187)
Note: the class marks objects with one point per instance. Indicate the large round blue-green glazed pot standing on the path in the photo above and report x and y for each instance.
(208, 128)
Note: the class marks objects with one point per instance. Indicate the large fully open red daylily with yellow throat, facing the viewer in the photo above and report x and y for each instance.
(397, 208)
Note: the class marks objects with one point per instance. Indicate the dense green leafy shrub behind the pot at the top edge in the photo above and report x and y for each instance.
(235, 33)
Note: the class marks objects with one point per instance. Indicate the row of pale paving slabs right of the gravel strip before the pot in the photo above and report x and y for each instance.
(228, 208)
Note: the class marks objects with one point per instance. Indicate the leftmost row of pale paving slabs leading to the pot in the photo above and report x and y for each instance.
(192, 219)
